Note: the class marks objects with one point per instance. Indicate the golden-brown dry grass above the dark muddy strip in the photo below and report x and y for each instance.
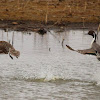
(57, 12)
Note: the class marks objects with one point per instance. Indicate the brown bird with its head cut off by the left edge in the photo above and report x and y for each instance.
(7, 48)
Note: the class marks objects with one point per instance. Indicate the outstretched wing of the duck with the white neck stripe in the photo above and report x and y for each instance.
(85, 51)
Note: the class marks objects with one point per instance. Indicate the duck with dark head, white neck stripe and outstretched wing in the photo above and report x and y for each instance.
(95, 48)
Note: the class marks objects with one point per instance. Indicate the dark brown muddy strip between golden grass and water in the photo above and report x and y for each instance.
(22, 25)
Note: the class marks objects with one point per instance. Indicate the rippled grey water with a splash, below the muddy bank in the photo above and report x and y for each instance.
(47, 70)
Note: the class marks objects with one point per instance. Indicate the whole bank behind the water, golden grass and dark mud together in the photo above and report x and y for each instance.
(32, 15)
